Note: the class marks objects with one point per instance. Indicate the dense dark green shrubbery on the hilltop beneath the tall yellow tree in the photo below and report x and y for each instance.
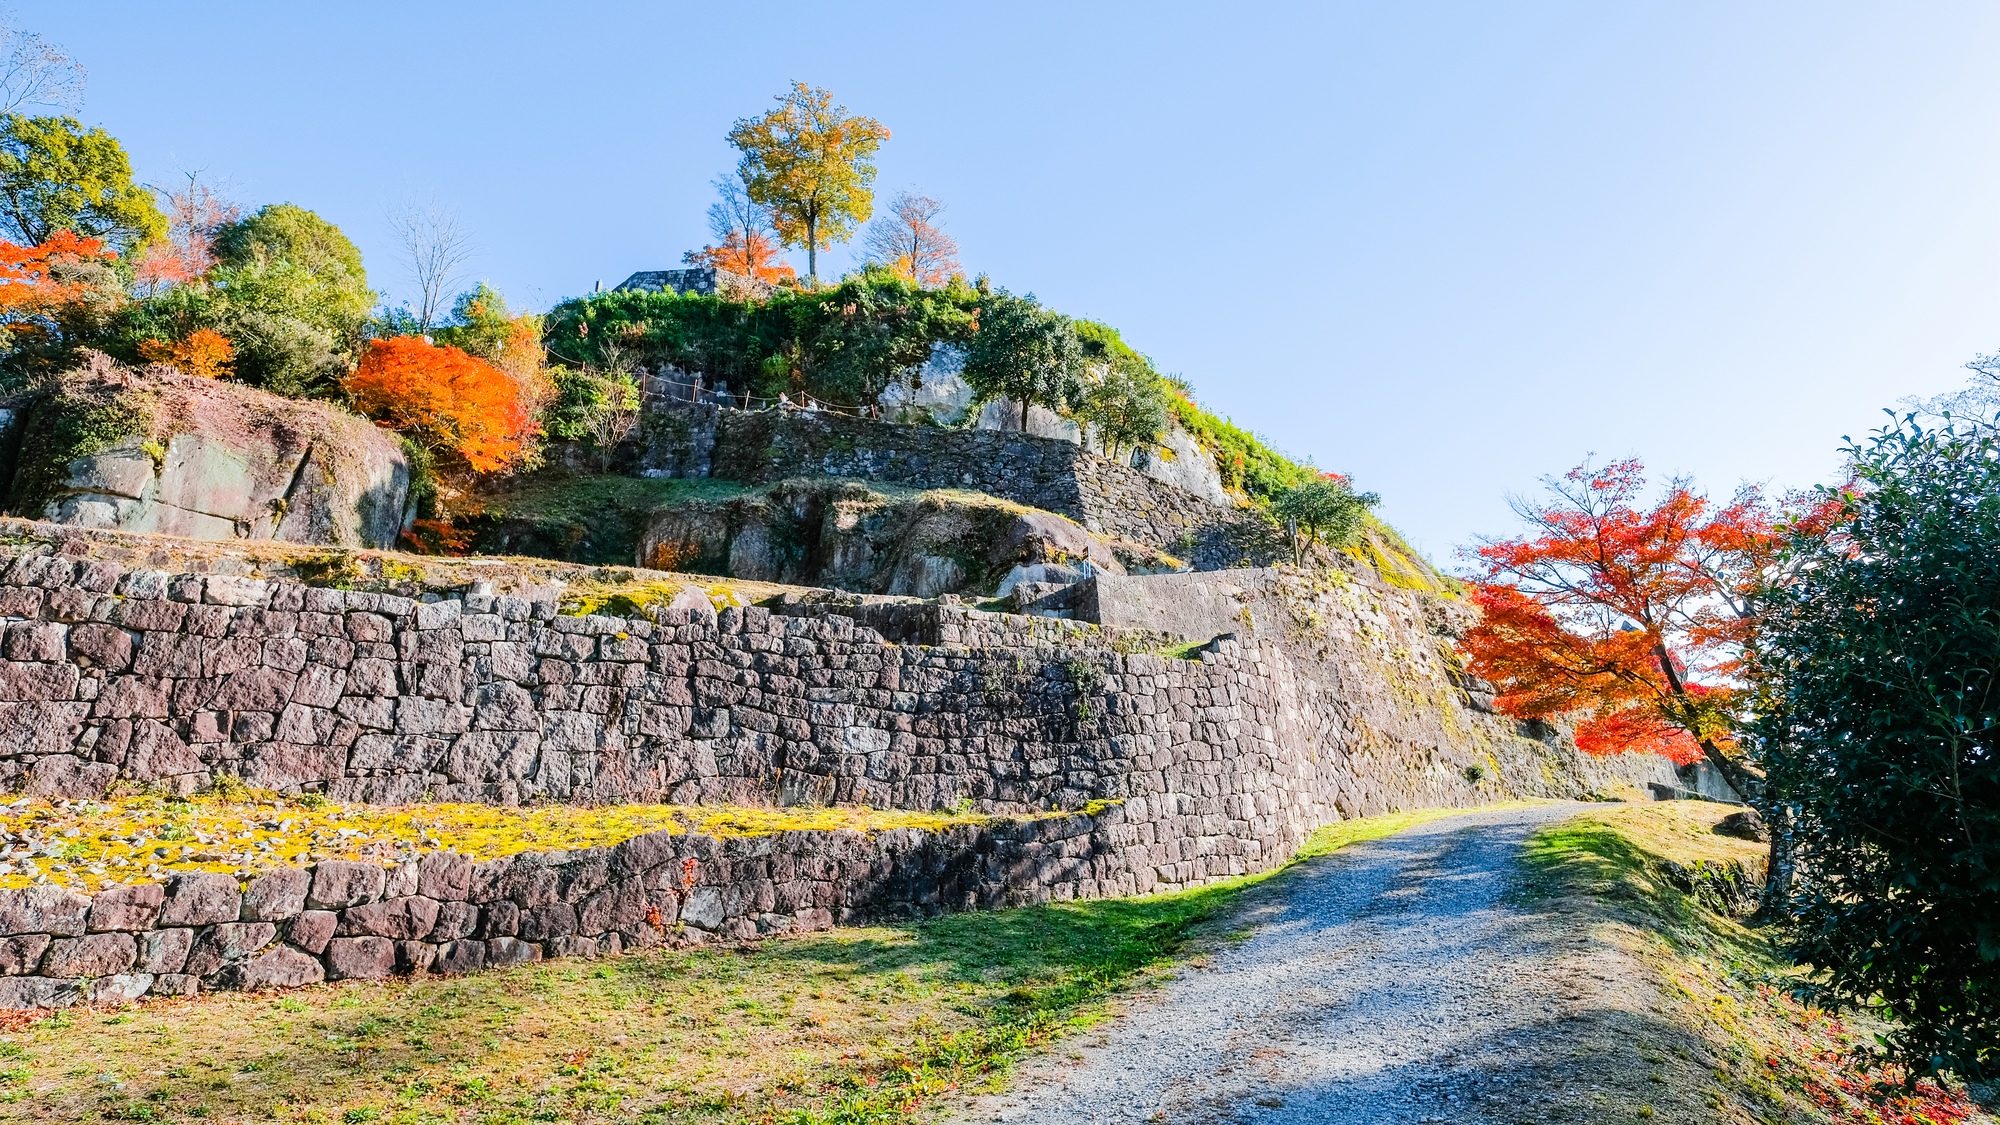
(841, 345)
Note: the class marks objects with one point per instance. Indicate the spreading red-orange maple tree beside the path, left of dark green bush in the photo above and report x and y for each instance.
(1631, 616)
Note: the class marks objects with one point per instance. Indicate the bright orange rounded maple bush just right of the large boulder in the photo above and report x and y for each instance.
(445, 401)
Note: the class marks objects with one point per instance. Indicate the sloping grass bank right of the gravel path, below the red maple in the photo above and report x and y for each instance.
(1725, 986)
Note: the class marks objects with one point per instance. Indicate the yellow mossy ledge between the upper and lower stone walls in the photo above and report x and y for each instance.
(143, 840)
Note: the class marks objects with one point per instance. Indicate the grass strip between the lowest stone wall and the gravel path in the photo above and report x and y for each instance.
(853, 1026)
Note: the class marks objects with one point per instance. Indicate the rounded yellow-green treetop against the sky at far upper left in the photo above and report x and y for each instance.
(59, 177)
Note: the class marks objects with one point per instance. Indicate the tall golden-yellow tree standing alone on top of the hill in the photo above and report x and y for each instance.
(813, 165)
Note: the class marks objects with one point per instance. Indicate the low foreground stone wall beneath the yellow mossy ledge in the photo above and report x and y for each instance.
(451, 914)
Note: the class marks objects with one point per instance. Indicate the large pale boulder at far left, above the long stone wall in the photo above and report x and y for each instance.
(201, 459)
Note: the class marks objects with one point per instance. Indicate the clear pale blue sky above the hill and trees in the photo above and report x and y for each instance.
(1443, 247)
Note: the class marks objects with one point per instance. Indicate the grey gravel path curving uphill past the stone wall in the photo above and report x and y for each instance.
(1385, 984)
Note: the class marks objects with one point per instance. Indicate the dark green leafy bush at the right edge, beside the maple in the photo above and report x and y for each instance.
(1883, 702)
